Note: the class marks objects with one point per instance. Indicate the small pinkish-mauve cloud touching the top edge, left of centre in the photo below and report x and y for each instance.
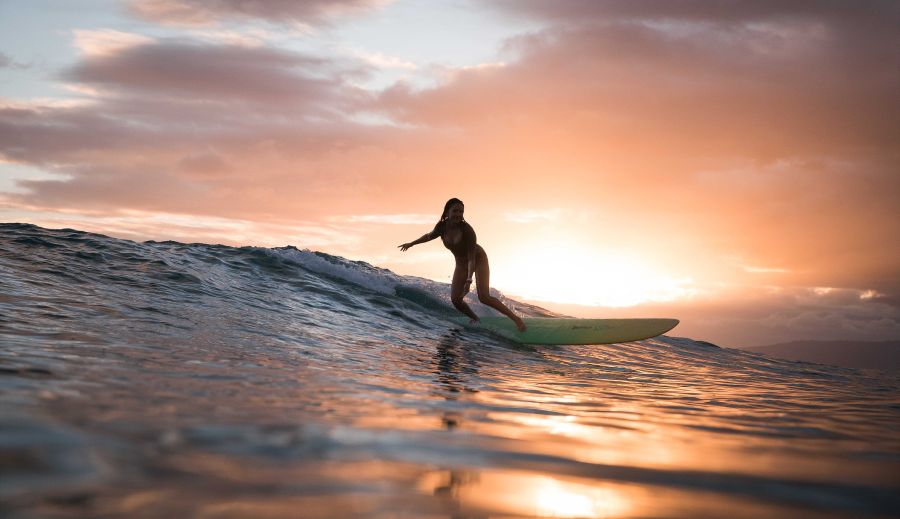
(207, 12)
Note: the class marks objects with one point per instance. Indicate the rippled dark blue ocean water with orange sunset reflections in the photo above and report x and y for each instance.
(163, 379)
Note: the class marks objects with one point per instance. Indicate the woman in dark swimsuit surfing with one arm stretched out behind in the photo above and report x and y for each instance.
(459, 237)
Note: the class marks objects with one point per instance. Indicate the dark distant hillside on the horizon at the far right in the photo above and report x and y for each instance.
(883, 355)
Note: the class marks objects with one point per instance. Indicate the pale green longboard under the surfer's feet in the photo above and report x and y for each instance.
(550, 331)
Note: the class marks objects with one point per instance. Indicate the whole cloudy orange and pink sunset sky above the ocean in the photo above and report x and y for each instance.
(732, 164)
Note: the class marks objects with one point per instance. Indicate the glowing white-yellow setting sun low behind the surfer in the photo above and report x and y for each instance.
(568, 273)
